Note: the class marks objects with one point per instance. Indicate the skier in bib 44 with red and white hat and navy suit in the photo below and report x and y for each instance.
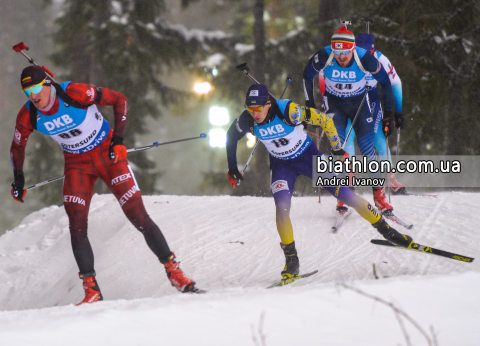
(345, 68)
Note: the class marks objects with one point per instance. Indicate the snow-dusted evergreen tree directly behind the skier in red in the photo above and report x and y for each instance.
(125, 46)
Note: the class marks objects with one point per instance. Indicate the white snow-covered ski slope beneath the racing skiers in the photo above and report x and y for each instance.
(230, 246)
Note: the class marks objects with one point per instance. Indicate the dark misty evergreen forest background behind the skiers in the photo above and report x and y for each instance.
(137, 48)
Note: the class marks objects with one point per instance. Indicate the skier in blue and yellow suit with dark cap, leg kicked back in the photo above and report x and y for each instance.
(278, 125)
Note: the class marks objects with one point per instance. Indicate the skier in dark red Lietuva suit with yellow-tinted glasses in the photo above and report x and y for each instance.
(68, 113)
